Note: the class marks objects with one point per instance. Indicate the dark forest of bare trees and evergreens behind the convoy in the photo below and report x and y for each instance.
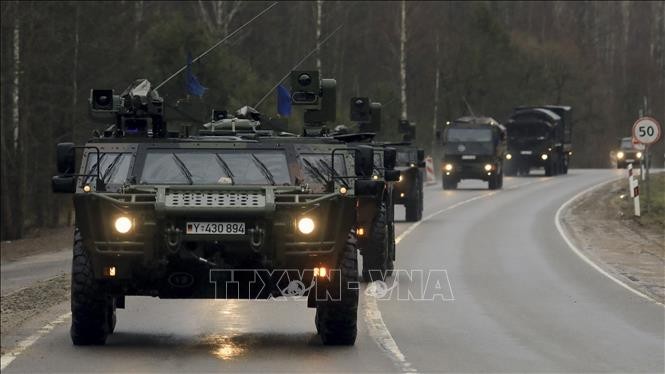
(605, 59)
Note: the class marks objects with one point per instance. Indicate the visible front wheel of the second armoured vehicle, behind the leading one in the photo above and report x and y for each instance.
(376, 258)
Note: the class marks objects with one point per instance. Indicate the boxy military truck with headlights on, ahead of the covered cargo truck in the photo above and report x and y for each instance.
(473, 148)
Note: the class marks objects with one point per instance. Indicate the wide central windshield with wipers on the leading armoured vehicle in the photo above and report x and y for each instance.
(208, 167)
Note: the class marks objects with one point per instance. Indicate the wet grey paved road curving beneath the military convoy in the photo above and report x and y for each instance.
(523, 302)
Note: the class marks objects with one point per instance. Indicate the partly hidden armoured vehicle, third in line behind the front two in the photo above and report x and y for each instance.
(409, 190)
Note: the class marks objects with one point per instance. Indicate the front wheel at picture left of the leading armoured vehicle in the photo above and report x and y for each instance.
(93, 311)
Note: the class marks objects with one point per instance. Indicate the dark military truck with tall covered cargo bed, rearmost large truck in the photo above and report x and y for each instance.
(539, 137)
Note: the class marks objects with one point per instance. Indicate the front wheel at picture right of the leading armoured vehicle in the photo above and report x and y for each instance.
(336, 320)
